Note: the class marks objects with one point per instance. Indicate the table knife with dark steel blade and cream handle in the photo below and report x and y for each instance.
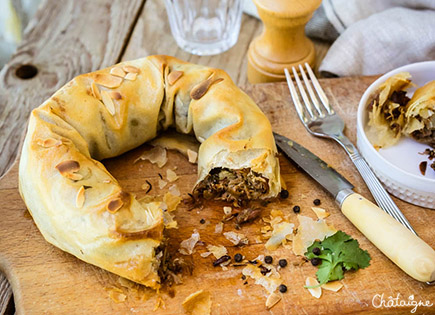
(400, 245)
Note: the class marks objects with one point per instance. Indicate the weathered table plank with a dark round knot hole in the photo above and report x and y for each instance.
(64, 39)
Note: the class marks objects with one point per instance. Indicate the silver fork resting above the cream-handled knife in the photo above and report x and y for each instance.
(322, 121)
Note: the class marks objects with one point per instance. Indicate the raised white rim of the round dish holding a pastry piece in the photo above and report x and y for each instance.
(362, 108)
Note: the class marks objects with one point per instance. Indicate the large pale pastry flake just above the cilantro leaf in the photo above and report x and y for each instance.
(309, 231)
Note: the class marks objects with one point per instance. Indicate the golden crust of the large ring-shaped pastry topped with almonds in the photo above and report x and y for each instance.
(79, 207)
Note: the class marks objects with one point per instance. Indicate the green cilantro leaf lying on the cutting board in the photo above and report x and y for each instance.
(338, 253)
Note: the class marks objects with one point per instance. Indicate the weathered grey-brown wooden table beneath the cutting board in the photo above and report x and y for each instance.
(69, 37)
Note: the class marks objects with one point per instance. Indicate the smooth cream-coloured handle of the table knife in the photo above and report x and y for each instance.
(404, 248)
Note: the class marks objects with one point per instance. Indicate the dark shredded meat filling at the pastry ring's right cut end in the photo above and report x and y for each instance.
(237, 186)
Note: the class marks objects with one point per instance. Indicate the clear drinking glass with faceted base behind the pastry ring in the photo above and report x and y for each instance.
(205, 27)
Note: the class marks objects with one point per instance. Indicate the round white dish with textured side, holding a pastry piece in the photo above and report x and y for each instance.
(398, 166)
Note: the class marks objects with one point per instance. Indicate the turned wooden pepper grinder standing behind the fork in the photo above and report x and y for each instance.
(283, 43)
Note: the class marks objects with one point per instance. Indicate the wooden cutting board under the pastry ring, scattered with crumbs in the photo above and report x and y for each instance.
(46, 280)
